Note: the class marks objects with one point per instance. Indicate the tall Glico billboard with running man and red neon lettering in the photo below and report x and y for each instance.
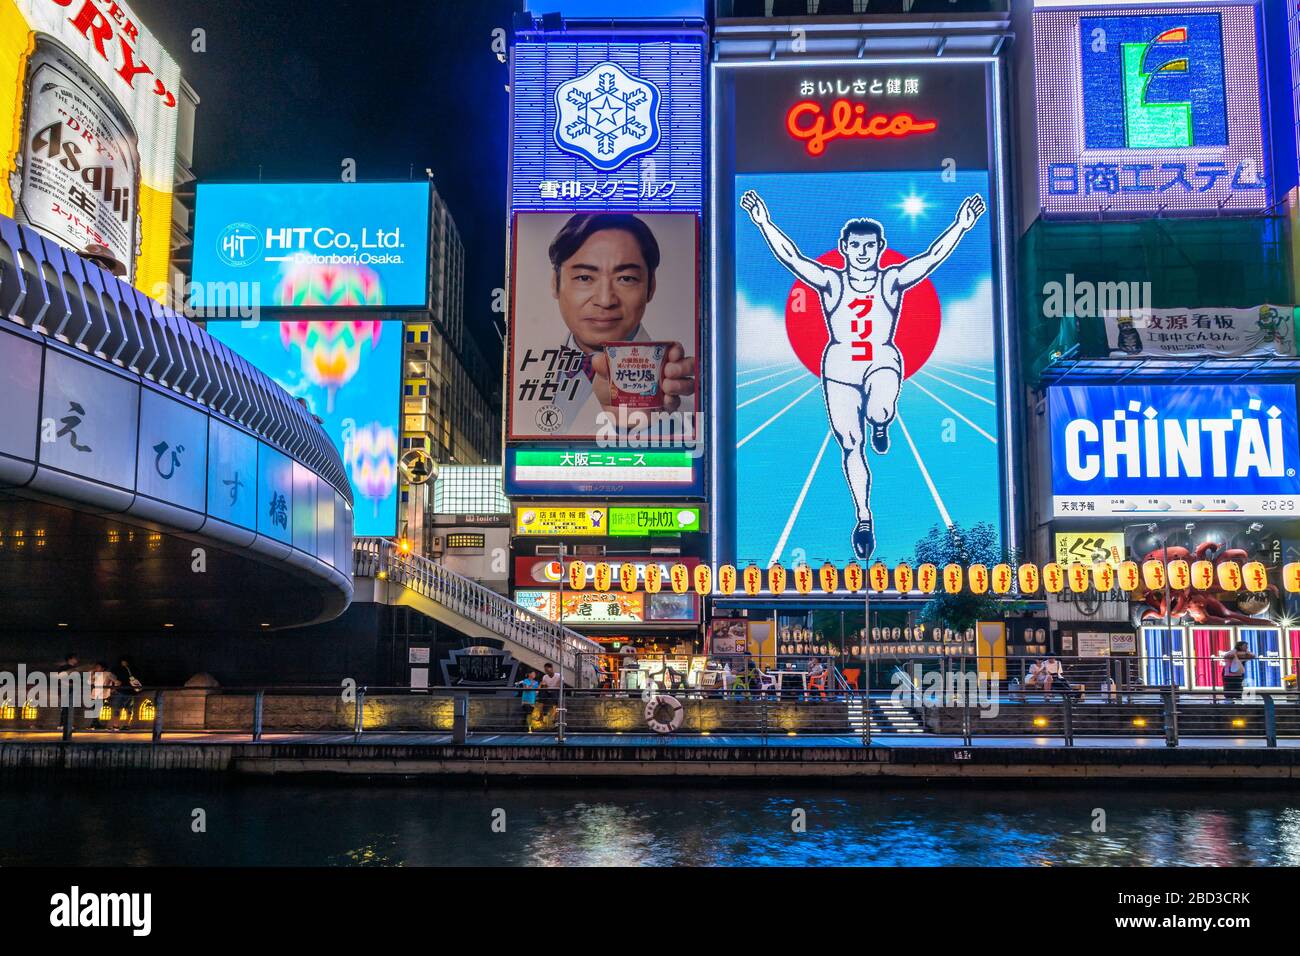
(860, 306)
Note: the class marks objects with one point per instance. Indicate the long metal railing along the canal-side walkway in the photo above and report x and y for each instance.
(356, 712)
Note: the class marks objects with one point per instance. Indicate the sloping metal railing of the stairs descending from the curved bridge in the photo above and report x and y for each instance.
(380, 559)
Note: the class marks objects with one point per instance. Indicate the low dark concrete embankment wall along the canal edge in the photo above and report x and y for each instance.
(549, 762)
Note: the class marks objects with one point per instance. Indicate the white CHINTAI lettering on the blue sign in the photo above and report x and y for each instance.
(1242, 445)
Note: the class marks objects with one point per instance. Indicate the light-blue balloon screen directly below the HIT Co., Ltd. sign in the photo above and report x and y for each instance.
(349, 375)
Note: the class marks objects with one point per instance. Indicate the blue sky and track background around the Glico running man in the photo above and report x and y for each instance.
(792, 501)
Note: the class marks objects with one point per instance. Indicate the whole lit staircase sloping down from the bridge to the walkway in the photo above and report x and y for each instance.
(385, 574)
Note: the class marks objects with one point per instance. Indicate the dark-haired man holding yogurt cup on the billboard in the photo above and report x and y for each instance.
(604, 279)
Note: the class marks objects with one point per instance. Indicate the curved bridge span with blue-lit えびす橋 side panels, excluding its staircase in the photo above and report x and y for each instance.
(133, 417)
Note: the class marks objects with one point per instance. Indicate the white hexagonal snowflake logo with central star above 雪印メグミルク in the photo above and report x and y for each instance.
(608, 116)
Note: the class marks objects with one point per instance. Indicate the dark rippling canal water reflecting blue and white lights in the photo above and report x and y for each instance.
(153, 823)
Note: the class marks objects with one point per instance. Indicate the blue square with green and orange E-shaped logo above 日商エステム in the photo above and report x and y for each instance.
(1154, 81)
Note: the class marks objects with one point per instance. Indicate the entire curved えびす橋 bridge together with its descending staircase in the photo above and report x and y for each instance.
(162, 498)
